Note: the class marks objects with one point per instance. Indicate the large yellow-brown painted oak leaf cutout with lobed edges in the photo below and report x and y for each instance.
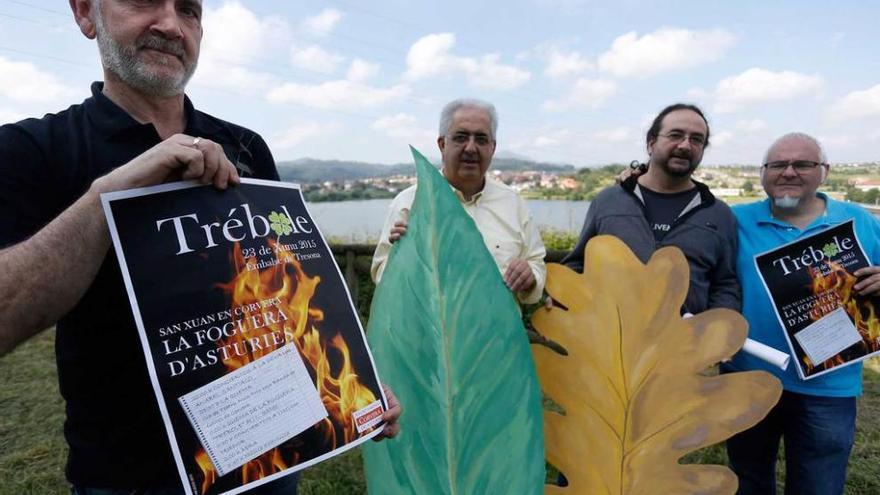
(631, 386)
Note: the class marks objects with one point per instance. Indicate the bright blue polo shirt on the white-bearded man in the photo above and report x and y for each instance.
(759, 232)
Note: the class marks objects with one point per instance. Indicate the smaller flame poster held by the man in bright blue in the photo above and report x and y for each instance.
(810, 283)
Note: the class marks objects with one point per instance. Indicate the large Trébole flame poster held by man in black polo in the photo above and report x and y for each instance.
(256, 354)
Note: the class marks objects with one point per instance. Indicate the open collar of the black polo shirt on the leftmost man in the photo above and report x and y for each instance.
(111, 120)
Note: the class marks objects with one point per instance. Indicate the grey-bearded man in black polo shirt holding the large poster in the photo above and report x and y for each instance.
(138, 129)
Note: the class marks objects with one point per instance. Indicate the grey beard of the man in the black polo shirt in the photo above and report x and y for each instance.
(122, 61)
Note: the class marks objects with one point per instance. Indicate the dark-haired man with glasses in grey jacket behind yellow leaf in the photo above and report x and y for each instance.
(664, 206)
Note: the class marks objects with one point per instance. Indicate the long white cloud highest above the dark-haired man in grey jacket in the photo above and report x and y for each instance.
(664, 50)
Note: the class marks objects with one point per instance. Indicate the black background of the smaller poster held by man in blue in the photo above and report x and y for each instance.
(798, 304)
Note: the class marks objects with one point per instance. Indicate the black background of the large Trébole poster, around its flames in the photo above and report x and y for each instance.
(167, 288)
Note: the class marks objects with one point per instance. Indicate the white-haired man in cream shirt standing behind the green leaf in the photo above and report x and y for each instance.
(467, 144)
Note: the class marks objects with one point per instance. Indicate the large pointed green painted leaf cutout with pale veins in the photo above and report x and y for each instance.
(446, 335)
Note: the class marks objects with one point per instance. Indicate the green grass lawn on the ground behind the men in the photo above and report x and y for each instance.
(32, 448)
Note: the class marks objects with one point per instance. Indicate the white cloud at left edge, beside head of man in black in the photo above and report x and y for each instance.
(23, 82)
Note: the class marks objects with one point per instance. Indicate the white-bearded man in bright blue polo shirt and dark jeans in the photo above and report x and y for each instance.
(816, 418)
